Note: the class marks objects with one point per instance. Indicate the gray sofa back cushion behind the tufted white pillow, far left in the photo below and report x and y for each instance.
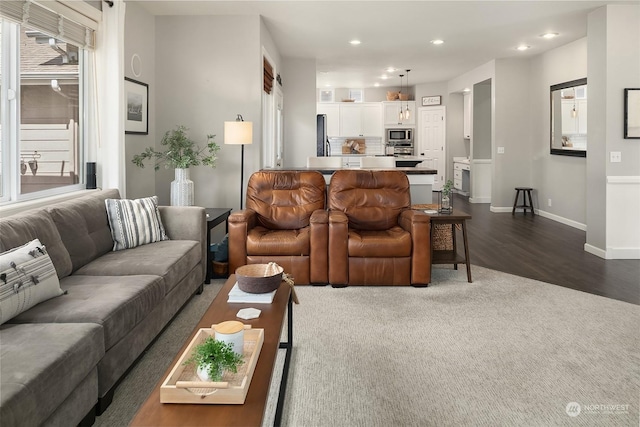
(16, 230)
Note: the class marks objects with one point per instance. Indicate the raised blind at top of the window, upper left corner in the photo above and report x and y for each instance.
(54, 18)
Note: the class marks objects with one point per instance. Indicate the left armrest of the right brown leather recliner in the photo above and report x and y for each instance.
(338, 248)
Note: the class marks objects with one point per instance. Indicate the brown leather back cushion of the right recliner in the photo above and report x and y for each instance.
(372, 200)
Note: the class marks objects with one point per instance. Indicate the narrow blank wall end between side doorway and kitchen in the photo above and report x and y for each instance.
(299, 88)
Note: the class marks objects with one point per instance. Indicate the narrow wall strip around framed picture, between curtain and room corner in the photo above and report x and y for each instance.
(140, 40)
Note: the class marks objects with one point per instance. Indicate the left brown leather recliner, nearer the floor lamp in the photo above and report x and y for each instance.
(285, 221)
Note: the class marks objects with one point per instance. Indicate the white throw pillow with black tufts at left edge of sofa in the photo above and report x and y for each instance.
(27, 277)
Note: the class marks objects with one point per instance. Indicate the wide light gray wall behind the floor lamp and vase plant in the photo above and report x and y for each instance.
(205, 77)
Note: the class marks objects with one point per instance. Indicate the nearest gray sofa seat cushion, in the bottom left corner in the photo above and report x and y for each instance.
(41, 366)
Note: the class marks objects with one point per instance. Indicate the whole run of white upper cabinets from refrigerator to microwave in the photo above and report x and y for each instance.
(352, 119)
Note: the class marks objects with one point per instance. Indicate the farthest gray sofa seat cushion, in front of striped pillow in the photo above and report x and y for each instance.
(170, 259)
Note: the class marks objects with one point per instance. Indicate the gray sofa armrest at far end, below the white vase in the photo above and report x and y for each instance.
(187, 223)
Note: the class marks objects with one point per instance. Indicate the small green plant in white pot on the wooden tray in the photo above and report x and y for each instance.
(212, 358)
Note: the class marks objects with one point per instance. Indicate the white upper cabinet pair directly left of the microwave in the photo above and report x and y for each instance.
(361, 119)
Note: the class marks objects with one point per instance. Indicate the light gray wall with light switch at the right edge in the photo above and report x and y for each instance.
(614, 64)
